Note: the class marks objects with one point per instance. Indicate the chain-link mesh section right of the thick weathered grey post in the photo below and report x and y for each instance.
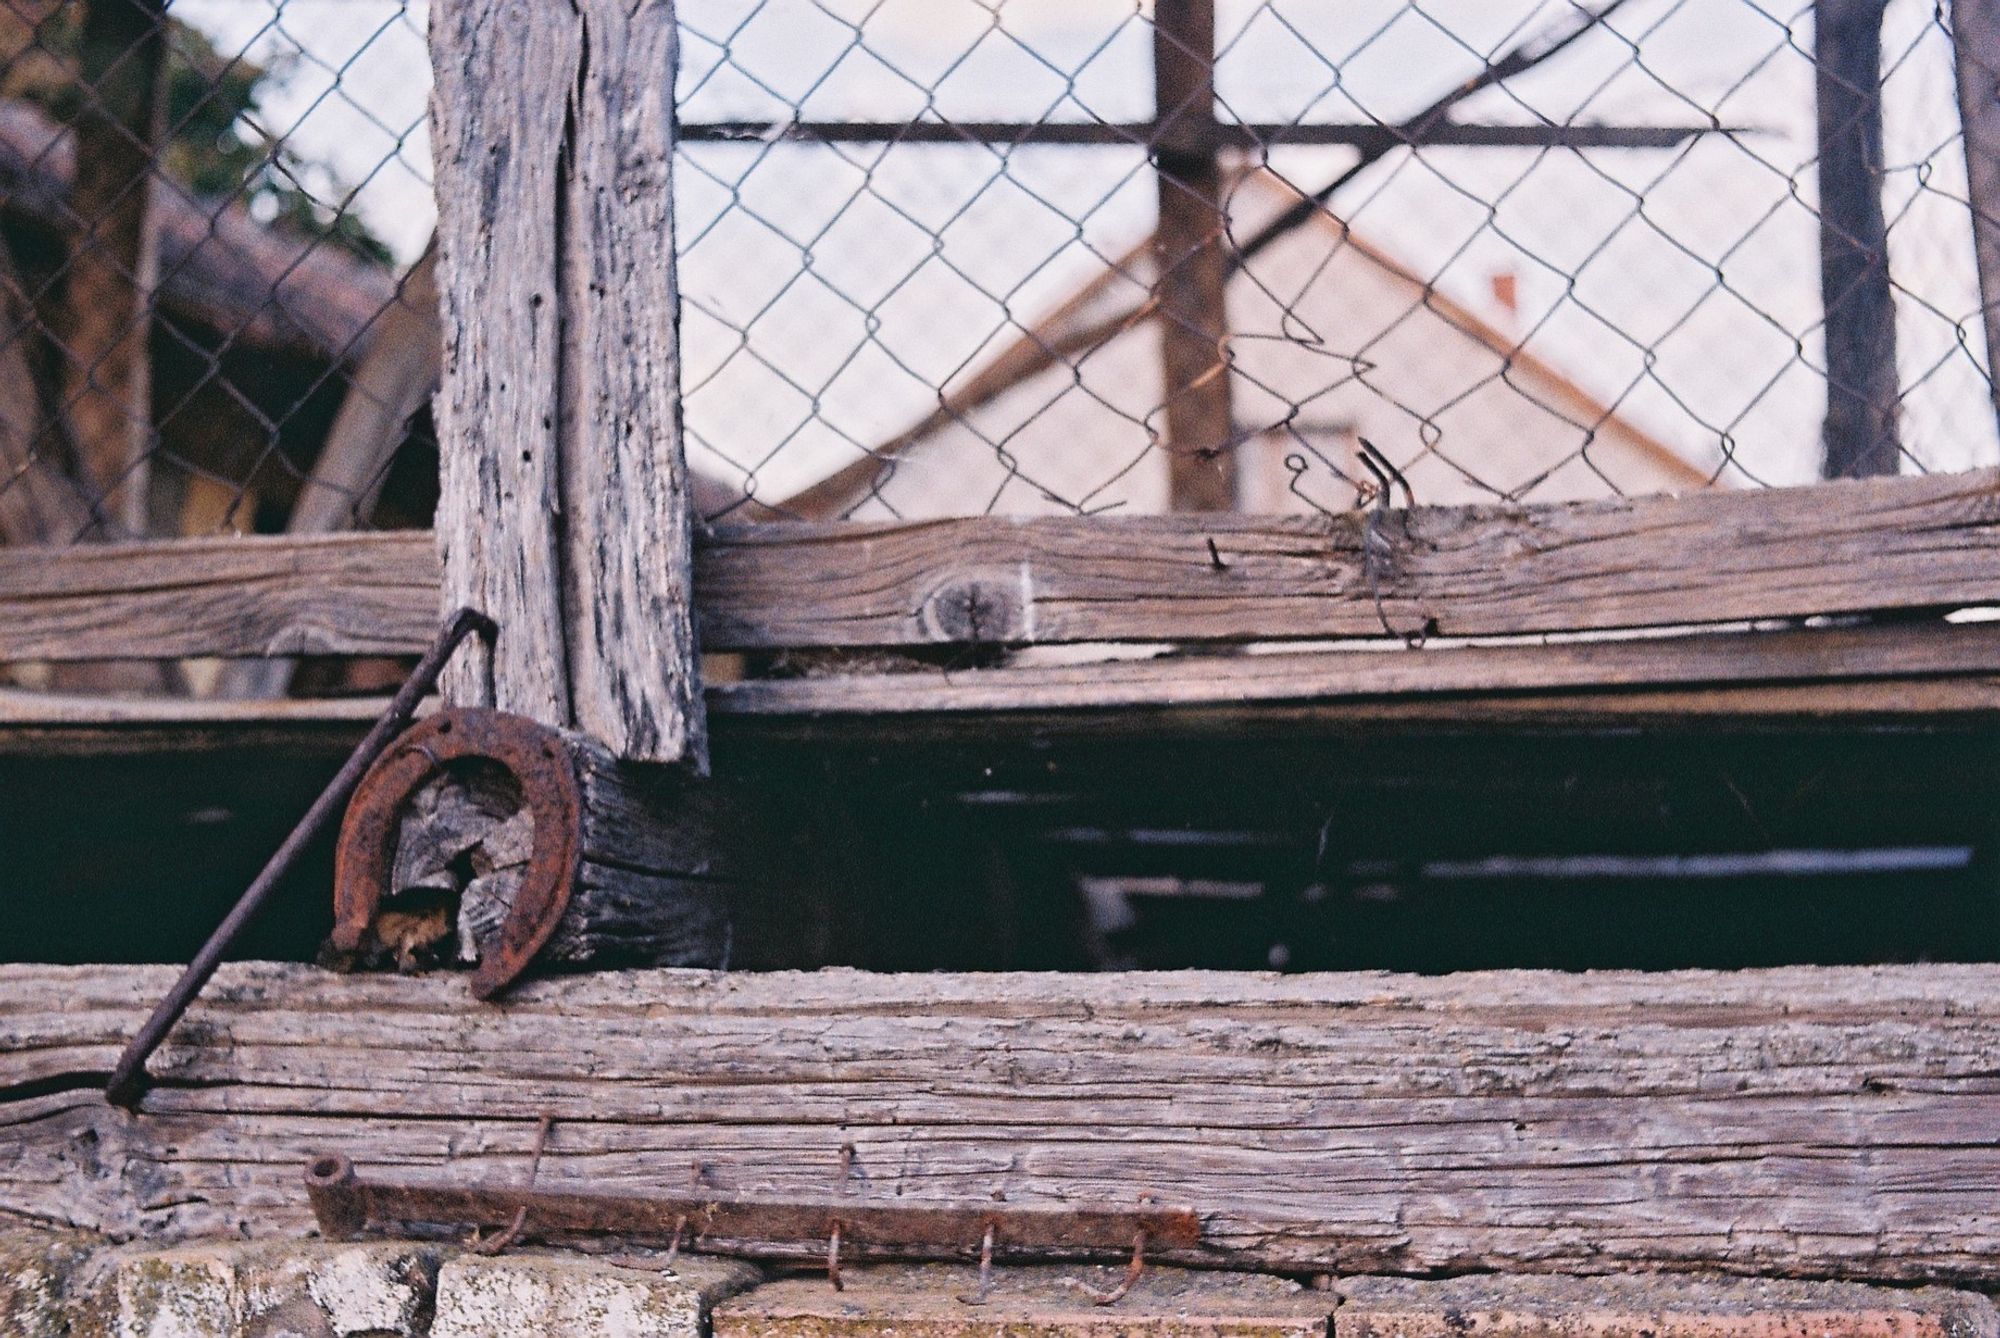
(1595, 275)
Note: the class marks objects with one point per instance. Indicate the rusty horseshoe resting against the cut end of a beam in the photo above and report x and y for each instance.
(541, 763)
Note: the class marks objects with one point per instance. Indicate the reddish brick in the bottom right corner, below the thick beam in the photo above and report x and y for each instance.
(1653, 1307)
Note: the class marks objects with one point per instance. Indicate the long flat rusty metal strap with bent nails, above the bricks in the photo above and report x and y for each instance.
(827, 1227)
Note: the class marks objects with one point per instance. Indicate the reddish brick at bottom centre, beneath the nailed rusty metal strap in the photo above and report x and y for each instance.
(1025, 1303)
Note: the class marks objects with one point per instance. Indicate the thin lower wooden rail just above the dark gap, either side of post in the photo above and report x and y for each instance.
(1899, 673)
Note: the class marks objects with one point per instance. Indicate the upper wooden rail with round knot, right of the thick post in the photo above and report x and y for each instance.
(1449, 571)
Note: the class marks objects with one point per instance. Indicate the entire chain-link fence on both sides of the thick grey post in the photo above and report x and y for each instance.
(959, 257)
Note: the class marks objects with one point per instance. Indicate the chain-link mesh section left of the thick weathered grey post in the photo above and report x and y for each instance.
(209, 219)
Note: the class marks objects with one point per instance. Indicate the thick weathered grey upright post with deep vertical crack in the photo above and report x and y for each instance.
(565, 505)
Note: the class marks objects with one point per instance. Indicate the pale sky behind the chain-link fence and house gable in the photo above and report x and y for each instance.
(831, 289)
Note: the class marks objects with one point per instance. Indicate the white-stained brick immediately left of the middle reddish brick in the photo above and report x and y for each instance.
(535, 1295)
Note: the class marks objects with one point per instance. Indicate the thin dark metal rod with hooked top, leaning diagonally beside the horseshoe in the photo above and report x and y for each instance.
(129, 1079)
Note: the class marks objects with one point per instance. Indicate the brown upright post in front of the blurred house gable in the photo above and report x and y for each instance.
(1193, 261)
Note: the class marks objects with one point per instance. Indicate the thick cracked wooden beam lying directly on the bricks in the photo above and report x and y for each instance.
(1823, 1123)
